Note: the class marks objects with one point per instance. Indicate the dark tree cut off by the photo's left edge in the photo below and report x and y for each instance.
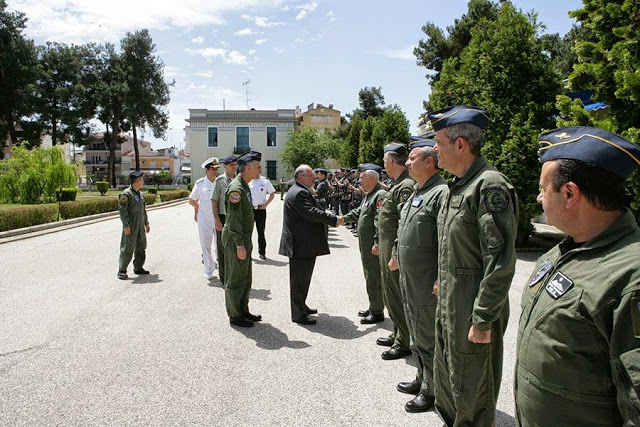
(17, 72)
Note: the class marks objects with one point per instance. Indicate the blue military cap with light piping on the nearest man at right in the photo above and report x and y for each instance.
(593, 146)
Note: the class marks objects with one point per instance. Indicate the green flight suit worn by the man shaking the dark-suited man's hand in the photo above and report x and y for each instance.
(367, 217)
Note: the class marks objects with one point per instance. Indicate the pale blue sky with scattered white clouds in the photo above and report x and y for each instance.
(284, 53)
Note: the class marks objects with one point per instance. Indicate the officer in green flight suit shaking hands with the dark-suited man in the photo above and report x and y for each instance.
(366, 215)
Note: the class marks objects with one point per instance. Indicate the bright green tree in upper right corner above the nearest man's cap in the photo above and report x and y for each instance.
(609, 64)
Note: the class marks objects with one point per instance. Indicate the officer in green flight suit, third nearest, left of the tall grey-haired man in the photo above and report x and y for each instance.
(416, 255)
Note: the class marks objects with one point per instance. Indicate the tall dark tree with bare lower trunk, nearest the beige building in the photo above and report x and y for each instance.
(148, 93)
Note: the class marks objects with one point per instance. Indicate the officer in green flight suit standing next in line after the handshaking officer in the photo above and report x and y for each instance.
(395, 156)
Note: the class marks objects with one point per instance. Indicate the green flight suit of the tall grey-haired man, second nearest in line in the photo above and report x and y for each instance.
(476, 262)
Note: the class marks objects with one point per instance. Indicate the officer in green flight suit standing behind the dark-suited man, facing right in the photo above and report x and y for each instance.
(236, 238)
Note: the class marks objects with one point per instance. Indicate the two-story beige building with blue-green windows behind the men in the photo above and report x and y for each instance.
(220, 133)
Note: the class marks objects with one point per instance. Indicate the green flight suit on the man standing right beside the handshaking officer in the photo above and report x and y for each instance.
(396, 196)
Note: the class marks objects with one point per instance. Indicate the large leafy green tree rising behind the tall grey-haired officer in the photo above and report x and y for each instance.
(505, 70)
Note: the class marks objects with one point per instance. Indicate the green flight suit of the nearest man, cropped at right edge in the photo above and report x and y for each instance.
(578, 352)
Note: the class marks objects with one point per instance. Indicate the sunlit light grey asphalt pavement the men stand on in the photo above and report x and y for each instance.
(79, 347)
